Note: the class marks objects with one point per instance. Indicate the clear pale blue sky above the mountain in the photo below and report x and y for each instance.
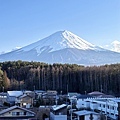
(25, 21)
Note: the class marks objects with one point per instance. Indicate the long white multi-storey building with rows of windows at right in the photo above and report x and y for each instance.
(108, 106)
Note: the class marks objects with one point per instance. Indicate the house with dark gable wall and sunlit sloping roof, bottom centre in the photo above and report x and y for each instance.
(58, 112)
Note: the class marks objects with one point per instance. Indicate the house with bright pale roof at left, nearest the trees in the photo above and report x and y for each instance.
(12, 95)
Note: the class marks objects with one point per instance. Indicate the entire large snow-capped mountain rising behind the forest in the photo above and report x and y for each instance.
(63, 47)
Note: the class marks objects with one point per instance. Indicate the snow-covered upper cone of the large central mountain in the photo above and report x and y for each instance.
(60, 40)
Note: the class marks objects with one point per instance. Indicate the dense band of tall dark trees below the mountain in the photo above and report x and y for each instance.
(64, 78)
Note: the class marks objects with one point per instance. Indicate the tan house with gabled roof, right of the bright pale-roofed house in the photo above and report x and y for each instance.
(24, 101)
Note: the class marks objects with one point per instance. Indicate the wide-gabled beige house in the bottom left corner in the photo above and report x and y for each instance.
(16, 112)
